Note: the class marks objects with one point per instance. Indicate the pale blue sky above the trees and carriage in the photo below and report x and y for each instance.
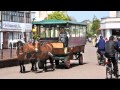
(85, 15)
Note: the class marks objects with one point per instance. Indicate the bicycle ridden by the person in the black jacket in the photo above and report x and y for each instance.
(109, 69)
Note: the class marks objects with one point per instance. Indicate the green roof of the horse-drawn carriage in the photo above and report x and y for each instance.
(55, 22)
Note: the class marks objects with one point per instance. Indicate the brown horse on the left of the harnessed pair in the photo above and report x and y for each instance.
(26, 52)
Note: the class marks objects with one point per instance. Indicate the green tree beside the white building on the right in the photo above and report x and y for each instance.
(95, 25)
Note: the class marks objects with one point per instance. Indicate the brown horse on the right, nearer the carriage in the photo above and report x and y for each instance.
(44, 53)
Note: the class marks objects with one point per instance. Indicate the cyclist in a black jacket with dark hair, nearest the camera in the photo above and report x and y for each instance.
(110, 50)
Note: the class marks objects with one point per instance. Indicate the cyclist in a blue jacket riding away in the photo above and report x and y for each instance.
(101, 46)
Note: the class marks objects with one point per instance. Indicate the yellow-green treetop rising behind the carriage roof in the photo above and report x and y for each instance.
(58, 15)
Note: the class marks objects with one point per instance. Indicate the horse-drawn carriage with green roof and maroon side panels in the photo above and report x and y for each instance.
(49, 31)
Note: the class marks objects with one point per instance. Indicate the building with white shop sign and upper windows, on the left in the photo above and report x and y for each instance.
(15, 25)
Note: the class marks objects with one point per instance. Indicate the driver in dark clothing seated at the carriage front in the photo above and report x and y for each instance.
(63, 37)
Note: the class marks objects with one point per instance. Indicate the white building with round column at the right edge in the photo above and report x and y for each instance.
(110, 25)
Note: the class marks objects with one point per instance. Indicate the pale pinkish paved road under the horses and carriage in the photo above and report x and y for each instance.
(90, 69)
